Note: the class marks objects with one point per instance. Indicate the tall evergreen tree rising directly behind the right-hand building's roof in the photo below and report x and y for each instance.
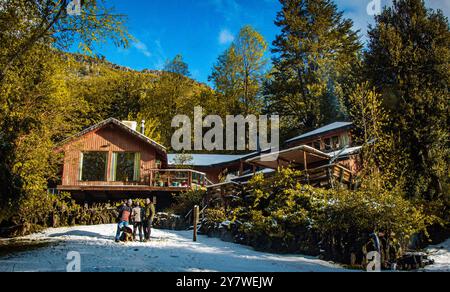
(314, 53)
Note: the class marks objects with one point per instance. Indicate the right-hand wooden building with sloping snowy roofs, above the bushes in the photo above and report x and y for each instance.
(326, 157)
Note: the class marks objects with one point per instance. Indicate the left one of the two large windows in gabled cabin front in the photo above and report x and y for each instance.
(93, 166)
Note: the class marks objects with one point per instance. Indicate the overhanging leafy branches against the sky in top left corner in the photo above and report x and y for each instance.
(40, 22)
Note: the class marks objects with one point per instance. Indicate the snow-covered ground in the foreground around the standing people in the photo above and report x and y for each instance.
(168, 251)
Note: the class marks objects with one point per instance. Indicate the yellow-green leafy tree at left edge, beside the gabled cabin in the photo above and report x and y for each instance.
(36, 110)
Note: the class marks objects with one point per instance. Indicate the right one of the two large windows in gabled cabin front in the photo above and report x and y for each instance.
(125, 166)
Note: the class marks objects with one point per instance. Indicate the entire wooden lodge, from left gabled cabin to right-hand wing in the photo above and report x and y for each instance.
(112, 161)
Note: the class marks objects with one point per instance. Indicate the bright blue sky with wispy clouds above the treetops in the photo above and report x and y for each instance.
(200, 30)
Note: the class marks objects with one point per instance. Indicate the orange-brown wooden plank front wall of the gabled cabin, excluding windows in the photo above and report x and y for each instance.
(110, 138)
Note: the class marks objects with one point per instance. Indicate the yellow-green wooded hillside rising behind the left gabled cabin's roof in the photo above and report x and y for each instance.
(106, 90)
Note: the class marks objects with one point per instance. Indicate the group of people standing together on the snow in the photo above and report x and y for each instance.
(141, 218)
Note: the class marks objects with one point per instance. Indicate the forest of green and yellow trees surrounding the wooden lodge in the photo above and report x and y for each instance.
(395, 89)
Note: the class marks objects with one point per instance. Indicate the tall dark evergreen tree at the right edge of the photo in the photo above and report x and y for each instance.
(408, 62)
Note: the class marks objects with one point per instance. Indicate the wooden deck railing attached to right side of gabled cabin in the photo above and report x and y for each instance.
(176, 178)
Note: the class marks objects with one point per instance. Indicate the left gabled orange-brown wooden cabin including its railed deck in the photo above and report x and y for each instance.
(113, 161)
